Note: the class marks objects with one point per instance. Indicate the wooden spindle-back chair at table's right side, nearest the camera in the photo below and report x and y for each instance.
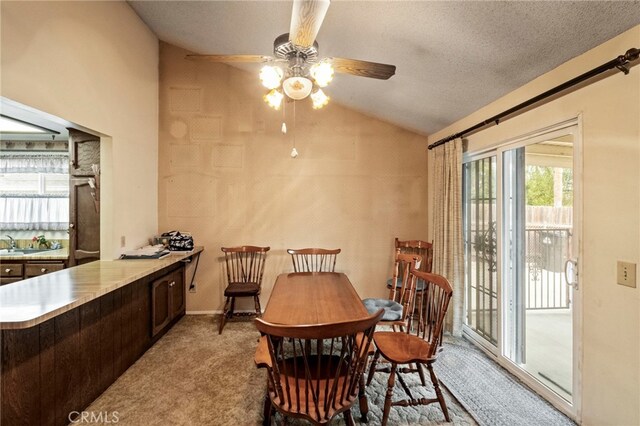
(417, 345)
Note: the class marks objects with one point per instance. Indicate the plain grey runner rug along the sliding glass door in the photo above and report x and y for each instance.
(489, 393)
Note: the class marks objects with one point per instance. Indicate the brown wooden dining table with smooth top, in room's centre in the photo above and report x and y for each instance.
(310, 298)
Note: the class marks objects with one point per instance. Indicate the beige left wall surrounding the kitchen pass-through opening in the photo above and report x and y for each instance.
(94, 64)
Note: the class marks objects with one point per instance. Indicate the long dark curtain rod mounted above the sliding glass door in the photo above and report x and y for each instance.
(620, 63)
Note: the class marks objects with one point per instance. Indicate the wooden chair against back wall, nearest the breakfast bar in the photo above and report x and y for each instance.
(245, 267)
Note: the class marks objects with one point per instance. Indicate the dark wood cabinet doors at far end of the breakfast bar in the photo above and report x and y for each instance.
(168, 299)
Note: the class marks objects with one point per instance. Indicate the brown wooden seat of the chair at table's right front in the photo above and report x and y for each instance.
(402, 348)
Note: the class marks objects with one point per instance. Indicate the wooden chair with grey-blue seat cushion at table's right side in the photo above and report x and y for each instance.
(397, 307)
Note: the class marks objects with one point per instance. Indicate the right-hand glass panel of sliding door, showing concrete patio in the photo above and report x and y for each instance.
(537, 229)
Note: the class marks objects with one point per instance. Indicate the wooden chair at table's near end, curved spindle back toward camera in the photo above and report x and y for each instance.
(320, 383)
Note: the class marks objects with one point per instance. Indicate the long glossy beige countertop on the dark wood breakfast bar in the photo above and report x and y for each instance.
(29, 302)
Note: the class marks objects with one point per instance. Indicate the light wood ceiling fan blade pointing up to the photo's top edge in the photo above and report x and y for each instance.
(306, 19)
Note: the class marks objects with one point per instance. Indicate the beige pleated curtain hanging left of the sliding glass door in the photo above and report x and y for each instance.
(448, 255)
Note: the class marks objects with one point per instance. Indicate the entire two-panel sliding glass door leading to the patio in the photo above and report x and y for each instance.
(521, 231)
